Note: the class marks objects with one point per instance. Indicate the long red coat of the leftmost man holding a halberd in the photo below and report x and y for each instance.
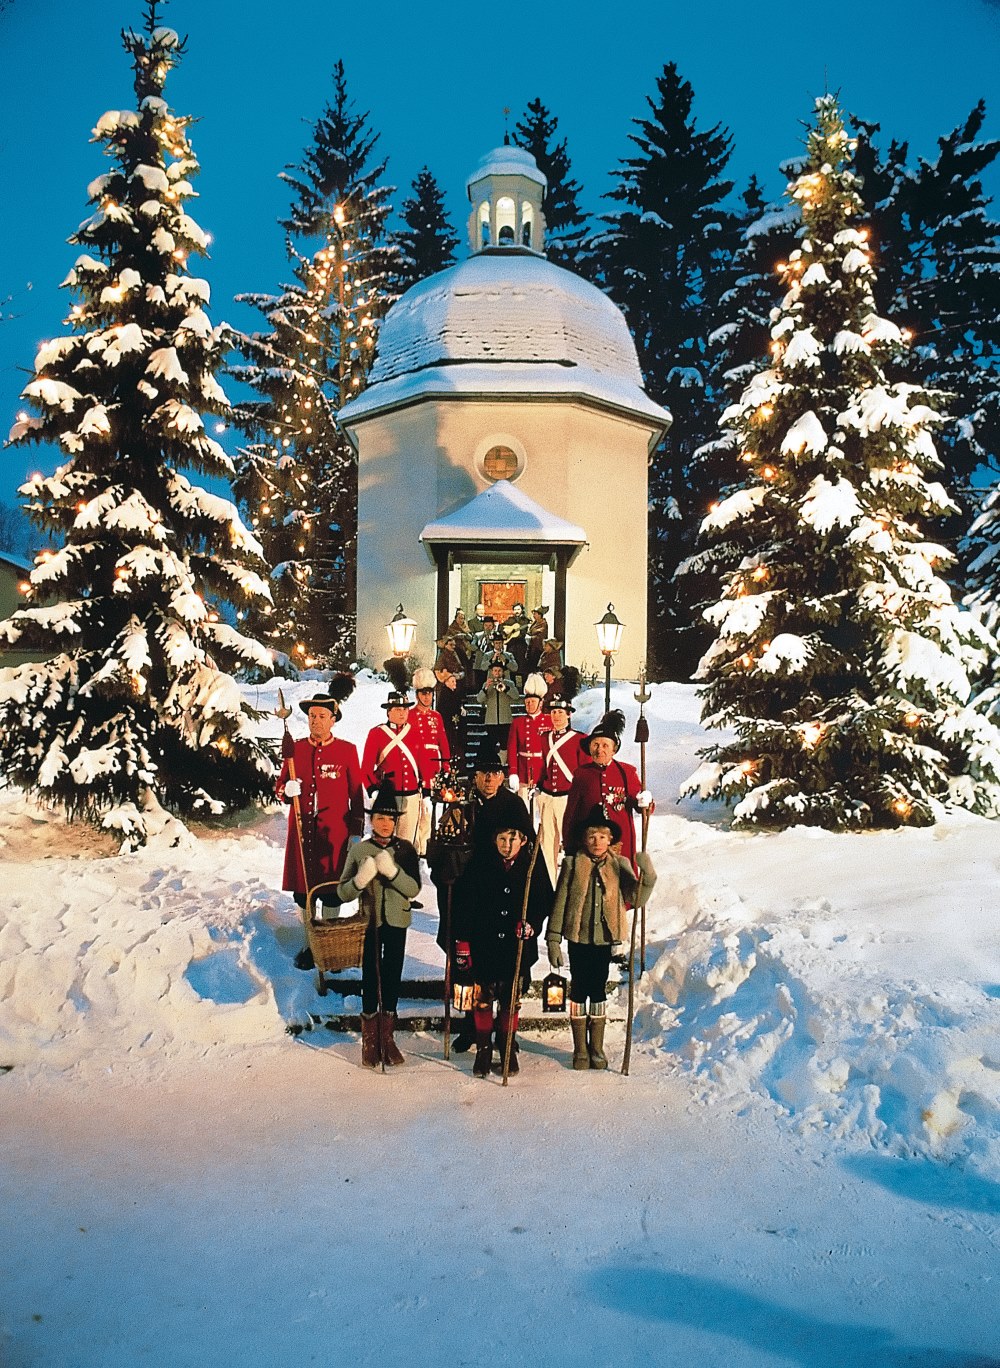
(333, 811)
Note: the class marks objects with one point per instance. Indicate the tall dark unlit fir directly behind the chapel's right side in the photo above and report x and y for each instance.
(663, 258)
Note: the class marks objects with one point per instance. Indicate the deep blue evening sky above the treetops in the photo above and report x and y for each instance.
(436, 79)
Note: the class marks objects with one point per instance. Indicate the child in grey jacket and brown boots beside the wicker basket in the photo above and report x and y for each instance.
(384, 875)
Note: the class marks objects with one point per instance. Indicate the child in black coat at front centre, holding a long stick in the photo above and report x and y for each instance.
(489, 902)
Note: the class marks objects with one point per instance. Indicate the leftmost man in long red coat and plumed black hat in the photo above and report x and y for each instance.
(328, 785)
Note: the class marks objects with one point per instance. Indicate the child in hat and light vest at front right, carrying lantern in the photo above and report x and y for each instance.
(590, 913)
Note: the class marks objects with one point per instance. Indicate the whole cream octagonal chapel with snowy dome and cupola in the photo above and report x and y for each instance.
(504, 441)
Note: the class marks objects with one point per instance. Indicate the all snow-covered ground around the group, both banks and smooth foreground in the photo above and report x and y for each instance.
(802, 1168)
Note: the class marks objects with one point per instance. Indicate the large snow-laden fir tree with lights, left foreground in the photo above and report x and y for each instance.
(131, 709)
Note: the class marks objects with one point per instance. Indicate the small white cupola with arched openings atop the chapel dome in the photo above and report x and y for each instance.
(505, 192)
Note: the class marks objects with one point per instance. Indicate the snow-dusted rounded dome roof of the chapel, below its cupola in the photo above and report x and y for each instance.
(505, 308)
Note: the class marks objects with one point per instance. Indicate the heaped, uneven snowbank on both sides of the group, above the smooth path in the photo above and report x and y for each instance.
(852, 984)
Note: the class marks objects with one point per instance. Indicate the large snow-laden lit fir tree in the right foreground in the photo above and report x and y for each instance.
(842, 664)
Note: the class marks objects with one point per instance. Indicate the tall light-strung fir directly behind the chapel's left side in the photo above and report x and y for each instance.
(299, 475)
